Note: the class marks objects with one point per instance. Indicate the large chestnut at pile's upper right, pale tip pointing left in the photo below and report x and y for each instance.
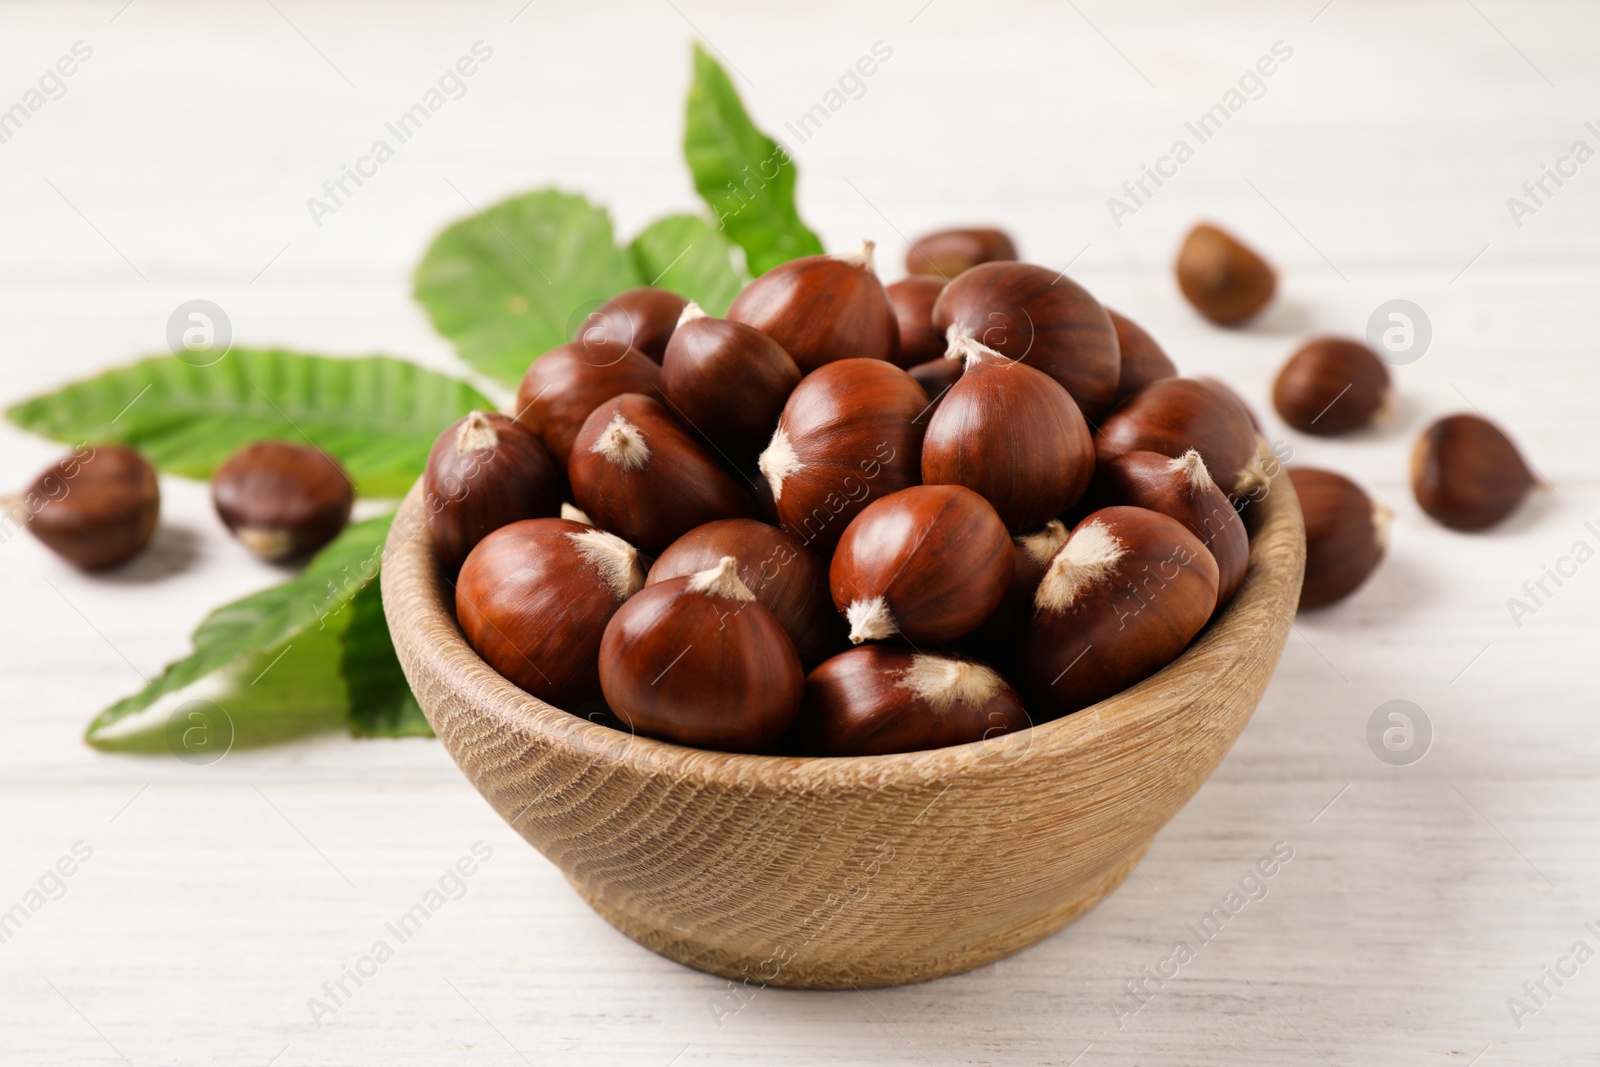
(1039, 316)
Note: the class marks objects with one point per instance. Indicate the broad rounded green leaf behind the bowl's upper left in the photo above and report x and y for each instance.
(513, 282)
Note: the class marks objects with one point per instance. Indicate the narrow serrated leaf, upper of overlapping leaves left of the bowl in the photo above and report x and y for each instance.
(270, 621)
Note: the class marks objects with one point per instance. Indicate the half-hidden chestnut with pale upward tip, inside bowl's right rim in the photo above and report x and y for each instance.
(1183, 490)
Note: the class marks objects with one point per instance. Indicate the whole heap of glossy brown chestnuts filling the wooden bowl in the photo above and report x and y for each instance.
(847, 519)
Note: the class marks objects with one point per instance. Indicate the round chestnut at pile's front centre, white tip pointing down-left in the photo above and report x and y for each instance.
(929, 564)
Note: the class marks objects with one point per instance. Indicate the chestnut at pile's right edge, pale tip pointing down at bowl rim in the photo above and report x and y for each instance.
(1172, 417)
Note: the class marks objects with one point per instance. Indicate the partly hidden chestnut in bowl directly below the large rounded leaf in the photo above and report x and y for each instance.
(567, 383)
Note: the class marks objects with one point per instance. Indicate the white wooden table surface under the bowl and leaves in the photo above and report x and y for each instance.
(1377, 166)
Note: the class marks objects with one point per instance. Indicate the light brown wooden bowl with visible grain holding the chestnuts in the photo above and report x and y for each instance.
(847, 873)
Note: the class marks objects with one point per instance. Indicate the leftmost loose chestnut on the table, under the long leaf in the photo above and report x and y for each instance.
(95, 508)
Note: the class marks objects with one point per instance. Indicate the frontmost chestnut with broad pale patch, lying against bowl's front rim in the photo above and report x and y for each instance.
(879, 700)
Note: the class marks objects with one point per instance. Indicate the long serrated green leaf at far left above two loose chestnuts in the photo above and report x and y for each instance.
(378, 417)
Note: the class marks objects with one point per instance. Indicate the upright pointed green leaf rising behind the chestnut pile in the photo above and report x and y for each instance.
(742, 174)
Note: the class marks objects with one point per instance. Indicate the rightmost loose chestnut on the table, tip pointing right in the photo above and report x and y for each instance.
(1468, 474)
